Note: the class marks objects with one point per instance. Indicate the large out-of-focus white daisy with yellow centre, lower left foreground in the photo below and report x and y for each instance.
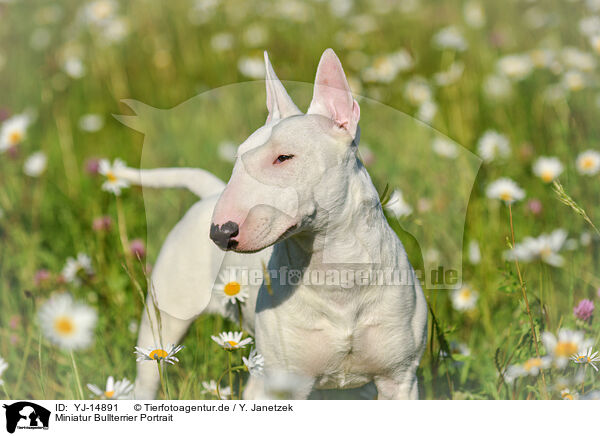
(67, 323)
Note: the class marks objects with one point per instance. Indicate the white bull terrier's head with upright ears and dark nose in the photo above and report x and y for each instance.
(293, 166)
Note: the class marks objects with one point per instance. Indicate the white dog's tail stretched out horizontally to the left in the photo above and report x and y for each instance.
(200, 182)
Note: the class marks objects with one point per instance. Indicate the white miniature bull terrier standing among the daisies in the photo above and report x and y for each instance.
(299, 200)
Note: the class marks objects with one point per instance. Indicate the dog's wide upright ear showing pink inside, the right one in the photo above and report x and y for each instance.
(332, 96)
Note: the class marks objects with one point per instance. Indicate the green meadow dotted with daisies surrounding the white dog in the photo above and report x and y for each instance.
(454, 96)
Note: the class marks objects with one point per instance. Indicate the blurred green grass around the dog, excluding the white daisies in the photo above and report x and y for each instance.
(168, 60)
